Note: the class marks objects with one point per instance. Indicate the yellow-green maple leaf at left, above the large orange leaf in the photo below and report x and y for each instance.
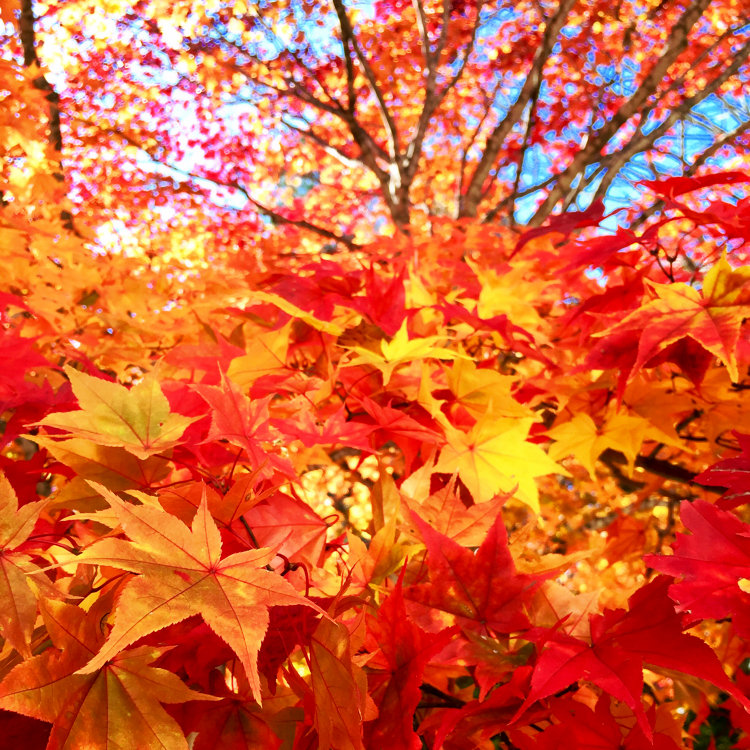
(137, 419)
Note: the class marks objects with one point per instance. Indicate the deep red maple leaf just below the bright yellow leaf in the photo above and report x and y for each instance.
(481, 588)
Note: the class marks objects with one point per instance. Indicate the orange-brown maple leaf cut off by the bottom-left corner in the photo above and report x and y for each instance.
(115, 706)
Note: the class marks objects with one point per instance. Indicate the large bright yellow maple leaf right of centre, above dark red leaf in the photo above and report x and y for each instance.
(496, 457)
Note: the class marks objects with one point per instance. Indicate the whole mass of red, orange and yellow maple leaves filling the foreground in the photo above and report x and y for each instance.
(286, 526)
